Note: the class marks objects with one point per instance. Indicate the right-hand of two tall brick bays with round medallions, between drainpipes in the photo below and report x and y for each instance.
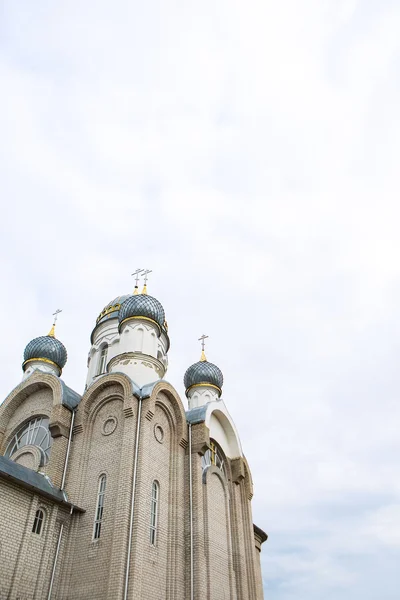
(159, 571)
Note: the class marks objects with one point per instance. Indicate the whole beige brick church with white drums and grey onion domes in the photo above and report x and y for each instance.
(120, 493)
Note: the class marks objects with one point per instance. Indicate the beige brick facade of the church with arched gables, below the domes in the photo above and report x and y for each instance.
(105, 429)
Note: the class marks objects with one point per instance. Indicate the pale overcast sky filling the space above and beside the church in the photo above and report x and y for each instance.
(248, 153)
